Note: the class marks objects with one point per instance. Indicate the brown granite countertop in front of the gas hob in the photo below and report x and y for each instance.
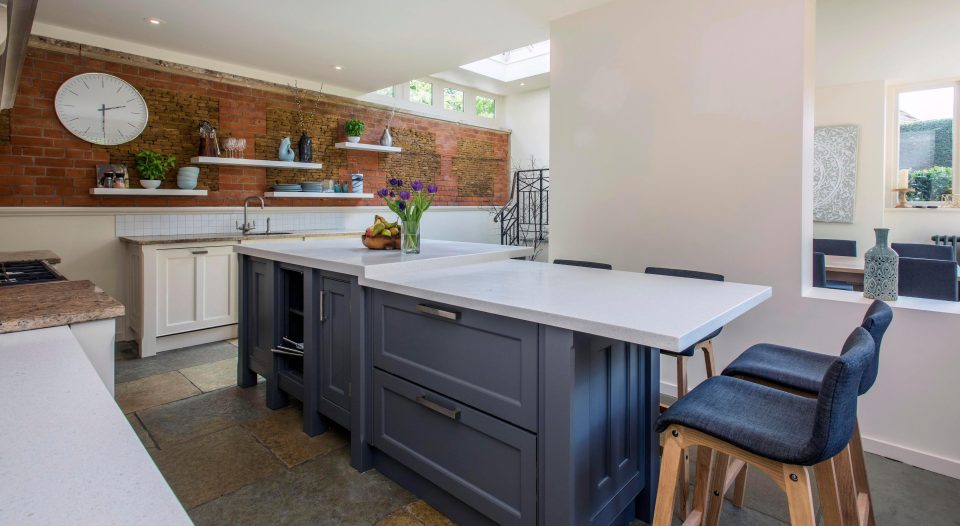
(40, 305)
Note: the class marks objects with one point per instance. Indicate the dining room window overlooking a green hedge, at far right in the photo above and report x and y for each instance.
(926, 119)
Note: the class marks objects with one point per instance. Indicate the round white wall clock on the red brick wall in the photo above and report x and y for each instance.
(101, 108)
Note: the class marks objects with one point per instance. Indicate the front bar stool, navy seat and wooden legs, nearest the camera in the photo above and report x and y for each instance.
(780, 433)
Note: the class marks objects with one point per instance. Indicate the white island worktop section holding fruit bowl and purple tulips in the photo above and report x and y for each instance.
(349, 256)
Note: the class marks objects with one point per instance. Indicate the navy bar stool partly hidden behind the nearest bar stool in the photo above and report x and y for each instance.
(802, 372)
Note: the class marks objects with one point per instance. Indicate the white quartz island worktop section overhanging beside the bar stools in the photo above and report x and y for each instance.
(663, 312)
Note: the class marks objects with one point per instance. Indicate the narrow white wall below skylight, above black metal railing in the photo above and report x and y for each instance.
(528, 117)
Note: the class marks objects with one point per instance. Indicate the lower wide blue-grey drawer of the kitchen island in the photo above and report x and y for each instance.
(486, 463)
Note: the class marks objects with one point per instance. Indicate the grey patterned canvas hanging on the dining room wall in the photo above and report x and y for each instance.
(835, 173)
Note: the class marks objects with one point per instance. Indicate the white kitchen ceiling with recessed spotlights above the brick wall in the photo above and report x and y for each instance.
(377, 42)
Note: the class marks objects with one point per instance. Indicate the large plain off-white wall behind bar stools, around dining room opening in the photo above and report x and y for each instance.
(710, 106)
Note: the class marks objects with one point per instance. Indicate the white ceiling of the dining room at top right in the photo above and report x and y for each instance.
(896, 40)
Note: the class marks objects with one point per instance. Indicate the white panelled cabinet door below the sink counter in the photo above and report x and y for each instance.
(196, 289)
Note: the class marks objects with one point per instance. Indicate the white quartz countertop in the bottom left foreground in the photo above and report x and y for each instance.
(67, 453)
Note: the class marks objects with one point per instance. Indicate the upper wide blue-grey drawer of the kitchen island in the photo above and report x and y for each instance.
(480, 359)
